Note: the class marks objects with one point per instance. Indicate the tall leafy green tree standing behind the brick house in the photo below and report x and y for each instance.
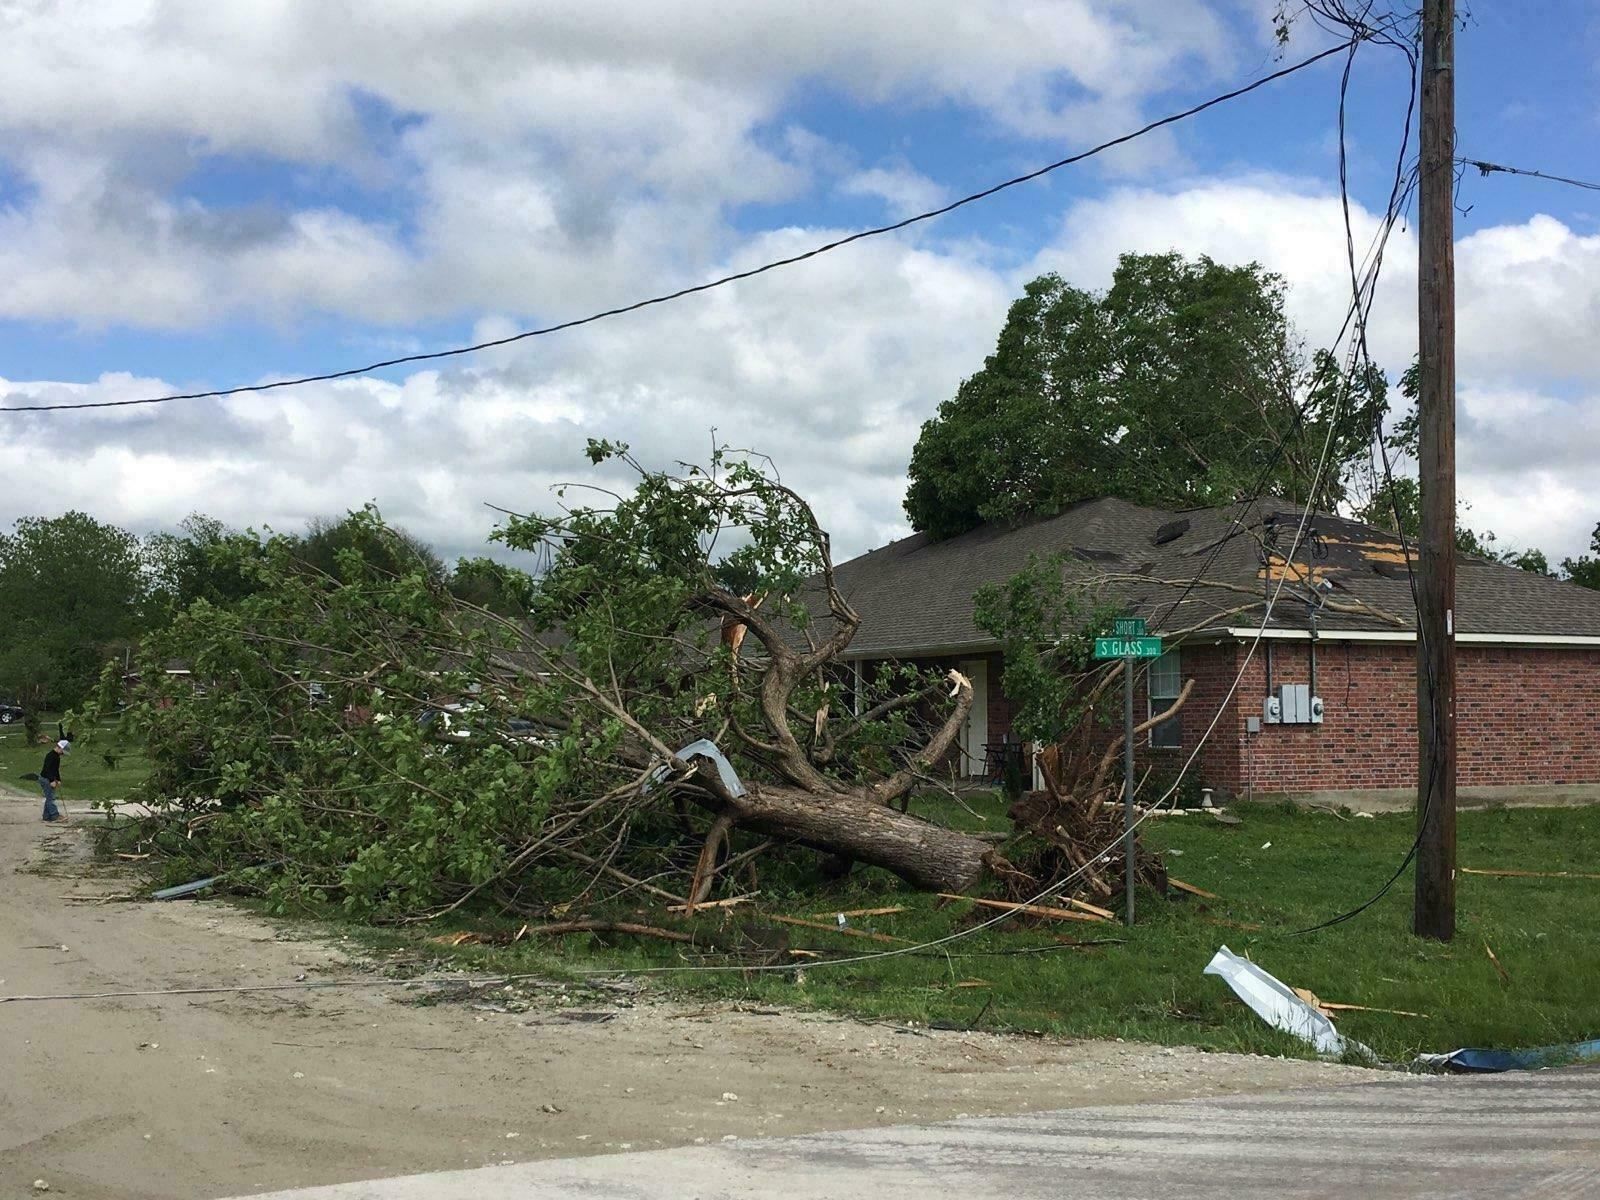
(1183, 385)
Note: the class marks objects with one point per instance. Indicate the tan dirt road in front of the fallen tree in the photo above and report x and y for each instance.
(220, 1095)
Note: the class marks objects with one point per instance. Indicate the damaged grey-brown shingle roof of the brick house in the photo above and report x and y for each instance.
(916, 596)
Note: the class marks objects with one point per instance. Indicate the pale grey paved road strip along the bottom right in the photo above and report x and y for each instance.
(1505, 1137)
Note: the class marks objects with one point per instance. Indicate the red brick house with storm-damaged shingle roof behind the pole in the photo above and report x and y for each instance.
(1326, 703)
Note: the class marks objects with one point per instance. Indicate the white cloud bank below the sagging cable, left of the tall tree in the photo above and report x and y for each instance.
(830, 367)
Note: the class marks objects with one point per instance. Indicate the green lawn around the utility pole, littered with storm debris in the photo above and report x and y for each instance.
(1281, 870)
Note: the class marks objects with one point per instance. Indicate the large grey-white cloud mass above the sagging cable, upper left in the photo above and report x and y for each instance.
(548, 154)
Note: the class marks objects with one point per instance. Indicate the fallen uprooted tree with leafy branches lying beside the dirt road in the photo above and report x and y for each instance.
(364, 737)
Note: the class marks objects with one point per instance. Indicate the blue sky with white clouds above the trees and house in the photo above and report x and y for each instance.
(201, 196)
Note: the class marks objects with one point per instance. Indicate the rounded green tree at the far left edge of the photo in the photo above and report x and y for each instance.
(71, 594)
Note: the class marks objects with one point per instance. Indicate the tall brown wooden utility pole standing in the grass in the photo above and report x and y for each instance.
(1436, 654)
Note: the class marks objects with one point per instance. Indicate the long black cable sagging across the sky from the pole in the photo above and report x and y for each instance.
(724, 281)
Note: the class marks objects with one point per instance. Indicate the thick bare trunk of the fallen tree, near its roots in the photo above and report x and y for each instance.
(926, 855)
